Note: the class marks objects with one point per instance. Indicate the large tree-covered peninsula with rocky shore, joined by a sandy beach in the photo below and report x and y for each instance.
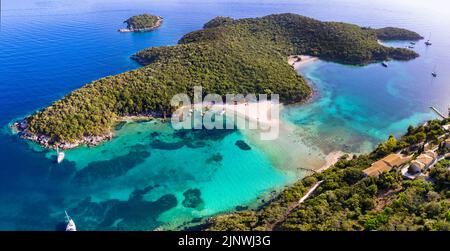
(227, 56)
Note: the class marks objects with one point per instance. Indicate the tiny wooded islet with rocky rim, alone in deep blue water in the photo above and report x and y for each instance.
(142, 23)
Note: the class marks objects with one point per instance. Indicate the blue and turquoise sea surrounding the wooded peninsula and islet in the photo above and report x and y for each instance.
(150, 176)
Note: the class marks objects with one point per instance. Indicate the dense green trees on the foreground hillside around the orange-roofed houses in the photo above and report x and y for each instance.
(347, 200)
